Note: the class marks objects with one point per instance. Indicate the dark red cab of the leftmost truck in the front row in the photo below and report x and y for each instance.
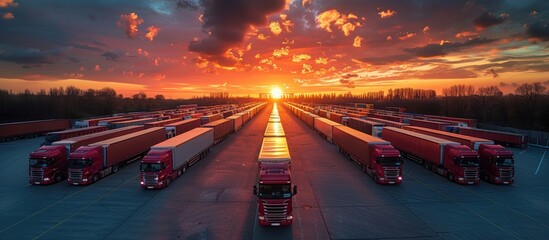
(48, 165)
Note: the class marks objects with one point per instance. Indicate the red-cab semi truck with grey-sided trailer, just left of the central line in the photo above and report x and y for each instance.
(169, 159)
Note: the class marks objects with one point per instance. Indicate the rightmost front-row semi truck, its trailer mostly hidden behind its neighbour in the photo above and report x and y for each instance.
(496, 163)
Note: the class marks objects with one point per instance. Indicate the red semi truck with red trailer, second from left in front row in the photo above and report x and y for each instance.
(90, 163)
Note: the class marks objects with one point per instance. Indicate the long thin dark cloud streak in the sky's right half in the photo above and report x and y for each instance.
(432, 50)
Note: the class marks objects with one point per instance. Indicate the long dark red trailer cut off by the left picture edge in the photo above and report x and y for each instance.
(16, 130)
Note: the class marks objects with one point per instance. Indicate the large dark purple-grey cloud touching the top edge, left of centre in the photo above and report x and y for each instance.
(229, 21)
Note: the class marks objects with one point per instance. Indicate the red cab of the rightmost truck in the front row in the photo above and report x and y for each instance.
(496, 164)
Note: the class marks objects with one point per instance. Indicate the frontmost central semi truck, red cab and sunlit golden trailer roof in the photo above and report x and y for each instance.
(274, 192)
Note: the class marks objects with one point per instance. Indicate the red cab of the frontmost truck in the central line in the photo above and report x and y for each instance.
(274, 194)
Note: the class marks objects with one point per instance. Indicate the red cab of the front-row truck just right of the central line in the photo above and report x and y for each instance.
(385, 165)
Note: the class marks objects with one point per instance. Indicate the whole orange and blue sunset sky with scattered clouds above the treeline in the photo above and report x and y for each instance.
(190, 48)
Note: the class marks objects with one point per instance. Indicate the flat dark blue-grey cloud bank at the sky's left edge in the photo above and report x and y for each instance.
(31, 56)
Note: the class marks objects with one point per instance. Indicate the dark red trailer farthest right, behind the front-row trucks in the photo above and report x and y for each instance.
(506, 138)
